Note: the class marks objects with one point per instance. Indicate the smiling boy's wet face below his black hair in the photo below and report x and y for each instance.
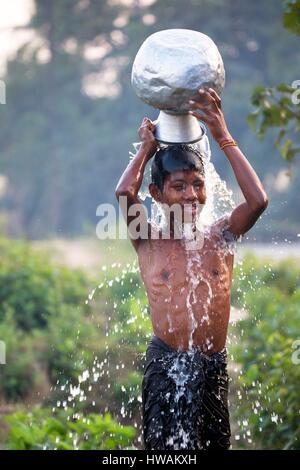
(186, 188)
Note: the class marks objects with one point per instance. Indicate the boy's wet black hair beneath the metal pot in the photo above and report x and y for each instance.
(174, 158)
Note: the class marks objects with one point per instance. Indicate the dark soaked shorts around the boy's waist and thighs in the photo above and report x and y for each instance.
(185, 399)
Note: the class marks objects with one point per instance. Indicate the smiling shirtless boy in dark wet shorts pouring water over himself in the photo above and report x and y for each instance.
(185, 383)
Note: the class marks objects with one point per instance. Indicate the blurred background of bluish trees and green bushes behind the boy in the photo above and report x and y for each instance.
(73, 312)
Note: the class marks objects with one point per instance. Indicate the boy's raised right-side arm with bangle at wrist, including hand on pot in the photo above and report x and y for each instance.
(246, 214)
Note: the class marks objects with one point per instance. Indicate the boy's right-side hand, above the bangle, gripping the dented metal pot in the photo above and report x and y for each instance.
(209, 104)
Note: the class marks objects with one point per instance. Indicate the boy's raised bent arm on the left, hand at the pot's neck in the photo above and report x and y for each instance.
(130, 182)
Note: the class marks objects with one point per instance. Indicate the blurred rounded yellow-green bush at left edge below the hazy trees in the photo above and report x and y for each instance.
(33, 288)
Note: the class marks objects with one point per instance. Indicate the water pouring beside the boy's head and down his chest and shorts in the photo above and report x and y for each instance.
(219, 203)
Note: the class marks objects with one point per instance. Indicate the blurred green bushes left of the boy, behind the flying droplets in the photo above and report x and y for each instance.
(114, 327)
